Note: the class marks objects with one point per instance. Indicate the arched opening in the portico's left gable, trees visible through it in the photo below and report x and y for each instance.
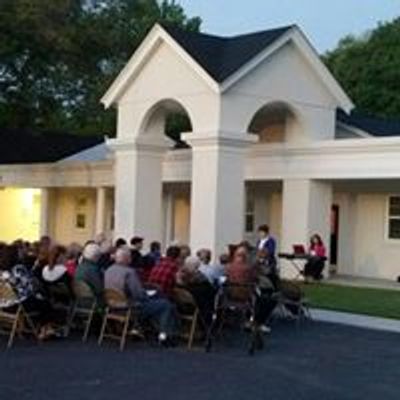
(170, 118)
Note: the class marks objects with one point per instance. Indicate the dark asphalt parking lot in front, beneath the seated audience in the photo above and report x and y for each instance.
(318, 361)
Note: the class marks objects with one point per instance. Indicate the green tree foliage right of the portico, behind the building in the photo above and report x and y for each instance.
(368, 68)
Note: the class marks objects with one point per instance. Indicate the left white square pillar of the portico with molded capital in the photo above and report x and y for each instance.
(138, 186)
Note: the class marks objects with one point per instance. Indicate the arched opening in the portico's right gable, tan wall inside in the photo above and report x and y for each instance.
(275, 123)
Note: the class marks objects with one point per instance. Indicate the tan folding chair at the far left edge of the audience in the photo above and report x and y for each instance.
(18, 320)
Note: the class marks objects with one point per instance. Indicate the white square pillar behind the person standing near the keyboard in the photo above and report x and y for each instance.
(306, 210)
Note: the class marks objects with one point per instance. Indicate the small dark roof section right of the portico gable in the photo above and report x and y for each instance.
(372, 125)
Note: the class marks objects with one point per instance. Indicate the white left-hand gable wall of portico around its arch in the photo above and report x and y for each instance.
(153, 84)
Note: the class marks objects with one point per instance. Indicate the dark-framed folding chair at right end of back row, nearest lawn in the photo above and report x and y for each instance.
(241, 299)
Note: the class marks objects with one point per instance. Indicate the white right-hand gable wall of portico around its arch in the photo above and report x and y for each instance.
(284, 77)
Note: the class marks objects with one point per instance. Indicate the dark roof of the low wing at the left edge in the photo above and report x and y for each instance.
(19, 146)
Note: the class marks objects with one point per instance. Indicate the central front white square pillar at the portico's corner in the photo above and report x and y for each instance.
(217, 203)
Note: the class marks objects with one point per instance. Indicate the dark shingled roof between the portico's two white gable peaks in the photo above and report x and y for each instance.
(223, 56)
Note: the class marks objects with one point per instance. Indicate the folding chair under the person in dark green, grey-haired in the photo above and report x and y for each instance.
(85, 306)
